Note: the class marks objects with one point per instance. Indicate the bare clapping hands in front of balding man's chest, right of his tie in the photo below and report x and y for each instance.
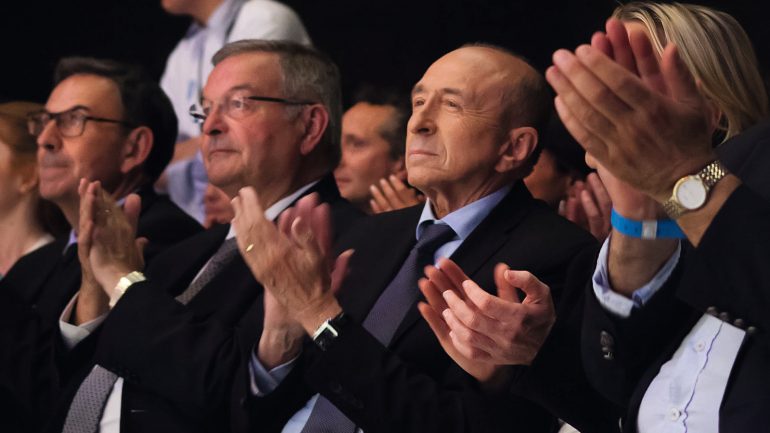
(486, 330)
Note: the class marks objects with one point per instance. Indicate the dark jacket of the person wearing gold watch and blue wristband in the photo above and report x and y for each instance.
(728, 276)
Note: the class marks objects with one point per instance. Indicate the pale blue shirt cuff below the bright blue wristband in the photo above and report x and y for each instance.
(618, 304)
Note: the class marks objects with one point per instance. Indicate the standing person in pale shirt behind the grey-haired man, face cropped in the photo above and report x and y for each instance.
(215, 23)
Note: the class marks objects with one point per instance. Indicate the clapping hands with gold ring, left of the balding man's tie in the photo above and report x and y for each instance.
(292, 261)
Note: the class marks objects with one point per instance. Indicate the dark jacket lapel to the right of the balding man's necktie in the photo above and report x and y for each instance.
(490, 235)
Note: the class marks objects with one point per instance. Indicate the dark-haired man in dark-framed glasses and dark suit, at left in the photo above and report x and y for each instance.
(104, 122)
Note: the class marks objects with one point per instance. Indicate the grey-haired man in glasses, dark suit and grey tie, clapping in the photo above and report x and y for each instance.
(177, 334)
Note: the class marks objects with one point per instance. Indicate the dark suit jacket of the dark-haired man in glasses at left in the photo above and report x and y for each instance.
(35, 292)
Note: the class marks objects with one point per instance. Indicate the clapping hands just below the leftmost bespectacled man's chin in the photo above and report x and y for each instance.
(107, 236)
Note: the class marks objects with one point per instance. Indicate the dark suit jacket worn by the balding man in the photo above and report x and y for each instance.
(412, 385)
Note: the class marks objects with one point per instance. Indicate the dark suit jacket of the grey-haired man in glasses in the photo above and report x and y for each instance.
(178, 361)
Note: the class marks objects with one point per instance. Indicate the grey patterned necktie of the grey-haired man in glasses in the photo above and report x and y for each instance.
(88, 404)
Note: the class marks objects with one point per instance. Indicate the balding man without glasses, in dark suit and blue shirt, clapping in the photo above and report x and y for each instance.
(374, 364)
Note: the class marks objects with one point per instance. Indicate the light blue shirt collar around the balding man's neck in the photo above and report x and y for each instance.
(464, 220)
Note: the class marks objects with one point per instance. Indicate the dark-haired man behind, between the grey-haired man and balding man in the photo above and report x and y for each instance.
(373, 132)
